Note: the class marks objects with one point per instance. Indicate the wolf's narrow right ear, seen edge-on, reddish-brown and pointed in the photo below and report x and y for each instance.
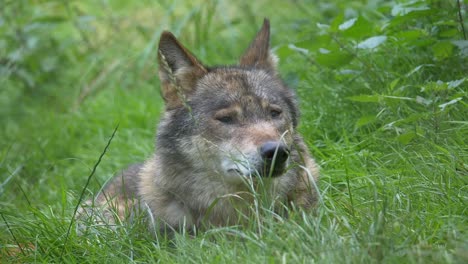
(258, 54)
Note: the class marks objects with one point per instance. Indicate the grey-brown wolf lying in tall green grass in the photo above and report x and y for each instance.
(228, 135)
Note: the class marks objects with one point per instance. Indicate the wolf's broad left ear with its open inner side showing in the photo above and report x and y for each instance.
(179, 70)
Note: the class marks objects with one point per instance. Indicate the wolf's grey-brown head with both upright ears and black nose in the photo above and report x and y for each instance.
(230, 121)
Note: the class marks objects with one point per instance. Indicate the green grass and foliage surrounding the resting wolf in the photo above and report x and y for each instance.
(383, 93)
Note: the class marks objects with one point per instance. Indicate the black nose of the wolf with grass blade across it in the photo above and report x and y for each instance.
(274, 155)
